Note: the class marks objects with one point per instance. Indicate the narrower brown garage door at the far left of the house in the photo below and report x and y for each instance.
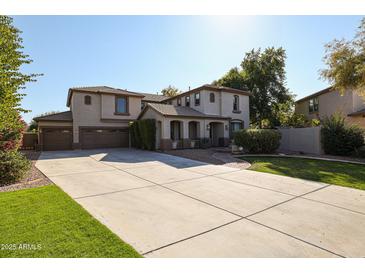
(57, 138)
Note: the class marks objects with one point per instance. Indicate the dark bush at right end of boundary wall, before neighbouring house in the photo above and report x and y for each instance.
(339, 138)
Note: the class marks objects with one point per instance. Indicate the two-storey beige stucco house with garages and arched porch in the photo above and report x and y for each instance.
(99, 117)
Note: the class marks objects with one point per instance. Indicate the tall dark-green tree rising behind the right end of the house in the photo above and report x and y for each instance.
(263, 74)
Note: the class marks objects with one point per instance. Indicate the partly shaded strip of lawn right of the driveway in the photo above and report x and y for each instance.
(337, 173)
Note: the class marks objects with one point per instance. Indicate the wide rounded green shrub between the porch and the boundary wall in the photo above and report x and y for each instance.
(258, 140)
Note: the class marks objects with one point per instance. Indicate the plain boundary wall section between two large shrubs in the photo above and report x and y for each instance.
(306, 140)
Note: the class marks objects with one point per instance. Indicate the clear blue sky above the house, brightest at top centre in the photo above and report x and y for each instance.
(148, 53)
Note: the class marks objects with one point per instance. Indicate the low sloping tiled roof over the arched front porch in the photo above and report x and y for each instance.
(179, 111)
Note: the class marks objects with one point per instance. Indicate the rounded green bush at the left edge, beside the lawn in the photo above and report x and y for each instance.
(13, 167)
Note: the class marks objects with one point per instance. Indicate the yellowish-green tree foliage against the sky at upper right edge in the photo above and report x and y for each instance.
(345, 62)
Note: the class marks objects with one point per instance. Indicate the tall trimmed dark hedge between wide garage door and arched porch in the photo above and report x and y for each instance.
(143, 134)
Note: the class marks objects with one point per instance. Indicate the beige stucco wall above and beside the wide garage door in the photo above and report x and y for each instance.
(91, 115)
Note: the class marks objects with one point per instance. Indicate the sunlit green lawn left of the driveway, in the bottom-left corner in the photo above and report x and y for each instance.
(48, 217)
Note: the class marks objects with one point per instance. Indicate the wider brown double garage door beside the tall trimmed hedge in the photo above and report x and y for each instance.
(104, 138)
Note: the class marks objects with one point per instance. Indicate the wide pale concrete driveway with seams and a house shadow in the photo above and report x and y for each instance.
(166, 206)
